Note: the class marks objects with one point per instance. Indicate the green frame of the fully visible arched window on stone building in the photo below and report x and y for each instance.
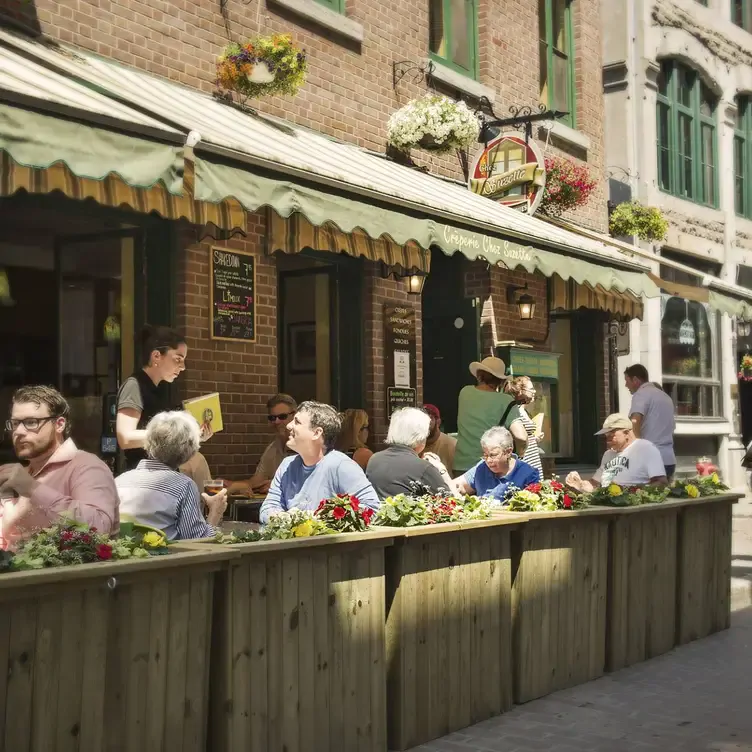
(674, 183)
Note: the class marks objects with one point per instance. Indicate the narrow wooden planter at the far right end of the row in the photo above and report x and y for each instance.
(703, 603)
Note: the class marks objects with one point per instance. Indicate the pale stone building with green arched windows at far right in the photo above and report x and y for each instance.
(677, 81)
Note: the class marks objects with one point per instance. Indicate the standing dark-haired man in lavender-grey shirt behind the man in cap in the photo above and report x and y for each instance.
(652, 414)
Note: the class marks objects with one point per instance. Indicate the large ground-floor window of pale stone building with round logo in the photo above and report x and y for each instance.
(689, 345)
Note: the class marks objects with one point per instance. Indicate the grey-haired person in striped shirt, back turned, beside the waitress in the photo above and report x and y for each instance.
(157, 494)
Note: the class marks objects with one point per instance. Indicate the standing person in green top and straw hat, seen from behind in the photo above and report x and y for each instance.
(484, 406)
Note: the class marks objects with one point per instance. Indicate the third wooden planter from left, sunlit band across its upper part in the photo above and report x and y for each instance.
(448, 628)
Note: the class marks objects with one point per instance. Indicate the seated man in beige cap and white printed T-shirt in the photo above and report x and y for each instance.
(627, 461)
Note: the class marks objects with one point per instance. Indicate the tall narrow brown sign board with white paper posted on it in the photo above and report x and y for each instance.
(400, 355)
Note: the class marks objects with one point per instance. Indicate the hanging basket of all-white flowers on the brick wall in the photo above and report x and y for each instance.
(435, 123)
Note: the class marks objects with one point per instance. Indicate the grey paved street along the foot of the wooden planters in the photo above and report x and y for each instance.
(697, 698)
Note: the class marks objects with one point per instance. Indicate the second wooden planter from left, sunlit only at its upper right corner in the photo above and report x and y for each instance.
(298, 650)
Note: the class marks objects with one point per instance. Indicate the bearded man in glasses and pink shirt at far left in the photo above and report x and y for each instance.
(59, 479)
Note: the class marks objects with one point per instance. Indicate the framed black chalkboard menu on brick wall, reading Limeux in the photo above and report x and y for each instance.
(232, 287)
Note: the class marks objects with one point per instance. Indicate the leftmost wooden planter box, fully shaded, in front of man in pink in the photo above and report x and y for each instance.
(107, 656)
